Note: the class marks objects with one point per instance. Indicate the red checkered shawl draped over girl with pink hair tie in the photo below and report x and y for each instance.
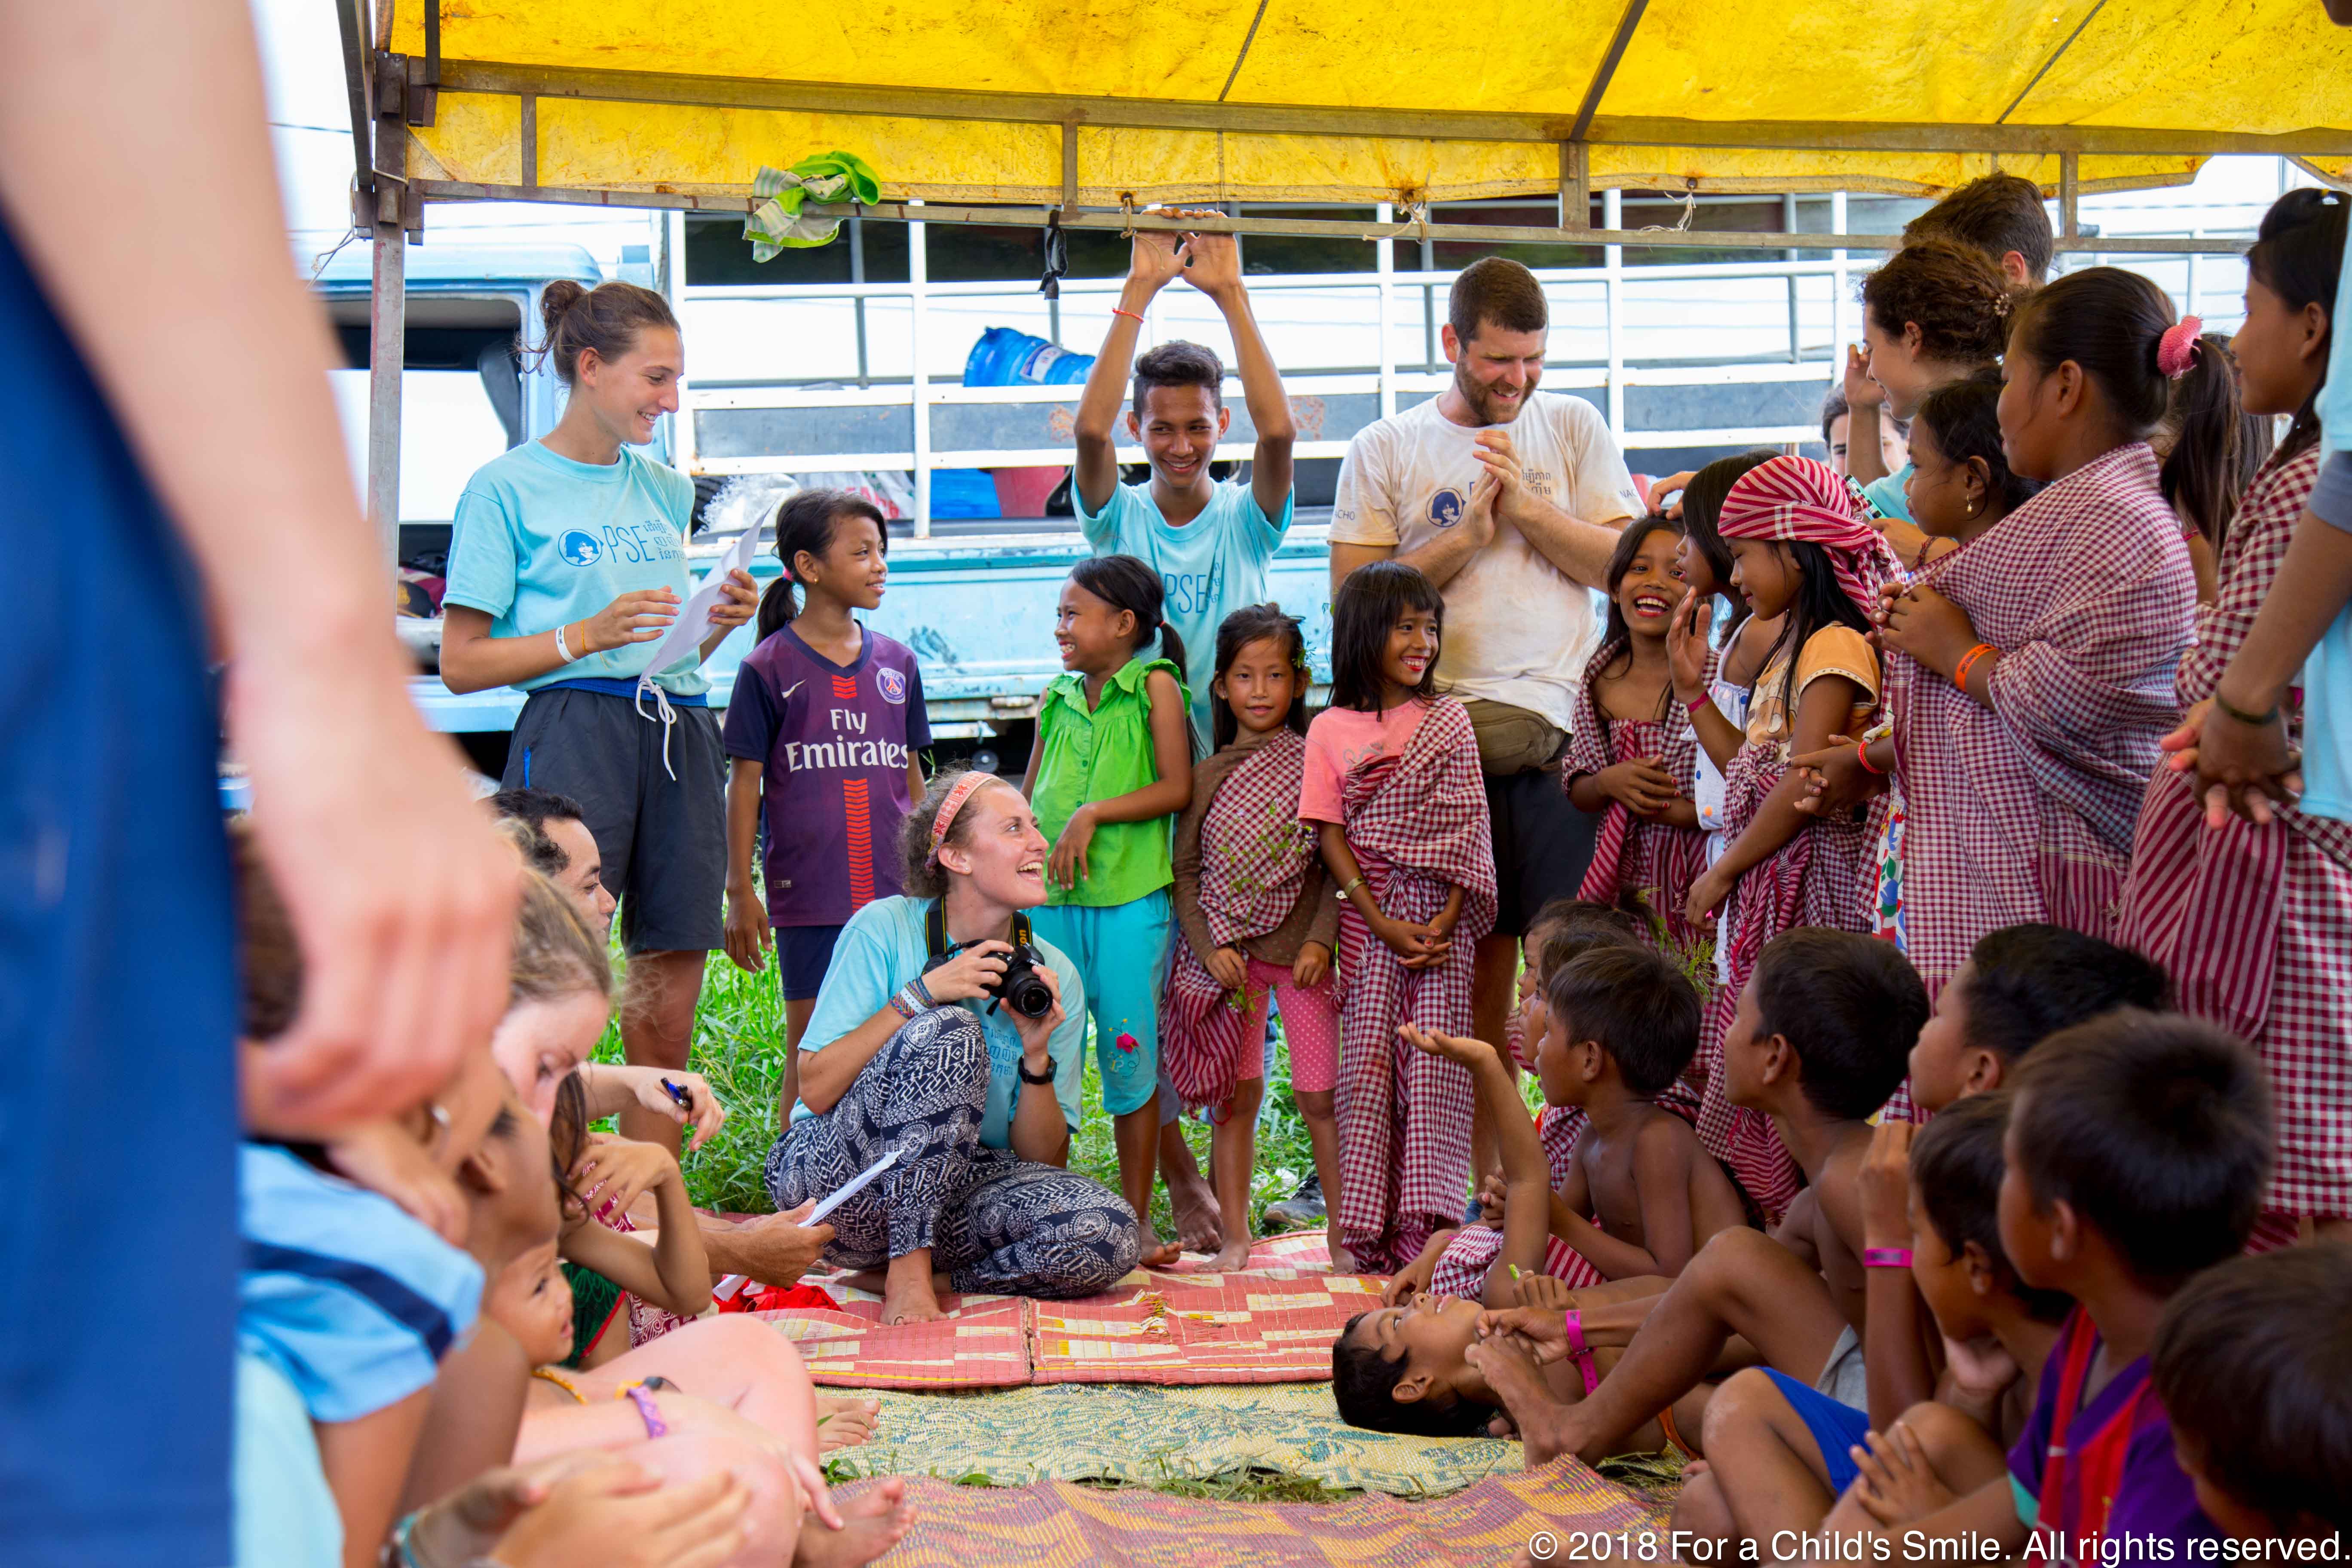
(2024, 812)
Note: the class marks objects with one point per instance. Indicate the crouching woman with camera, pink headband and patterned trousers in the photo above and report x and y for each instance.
(940, 1033)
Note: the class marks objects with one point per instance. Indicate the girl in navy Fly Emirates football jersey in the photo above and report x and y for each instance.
(824, 730)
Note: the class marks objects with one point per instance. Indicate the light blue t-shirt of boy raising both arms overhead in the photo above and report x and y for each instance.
(1210, 568)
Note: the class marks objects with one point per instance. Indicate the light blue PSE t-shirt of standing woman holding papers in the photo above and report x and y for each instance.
(542, 542)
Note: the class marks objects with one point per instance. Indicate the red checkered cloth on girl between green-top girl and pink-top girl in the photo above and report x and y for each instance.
(1255, 855)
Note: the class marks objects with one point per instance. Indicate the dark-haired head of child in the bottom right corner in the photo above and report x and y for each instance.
(2254, 1367)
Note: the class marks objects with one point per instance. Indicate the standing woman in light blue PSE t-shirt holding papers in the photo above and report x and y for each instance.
(568, 563)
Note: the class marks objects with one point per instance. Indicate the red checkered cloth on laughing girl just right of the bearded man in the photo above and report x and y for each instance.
(1633, 862)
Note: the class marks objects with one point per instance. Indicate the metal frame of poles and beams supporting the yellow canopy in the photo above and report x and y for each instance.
(389, 93)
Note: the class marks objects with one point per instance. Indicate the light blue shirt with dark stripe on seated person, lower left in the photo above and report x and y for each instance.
(342, 1292)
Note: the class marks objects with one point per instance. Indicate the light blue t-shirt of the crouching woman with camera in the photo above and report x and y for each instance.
(883, 949)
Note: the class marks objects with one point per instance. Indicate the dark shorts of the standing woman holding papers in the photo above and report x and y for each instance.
(664, 840)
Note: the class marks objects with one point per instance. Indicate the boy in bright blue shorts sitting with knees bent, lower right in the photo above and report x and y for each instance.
(1779, 1454)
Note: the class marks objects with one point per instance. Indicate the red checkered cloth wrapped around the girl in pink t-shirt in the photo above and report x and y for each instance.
(1419, 829)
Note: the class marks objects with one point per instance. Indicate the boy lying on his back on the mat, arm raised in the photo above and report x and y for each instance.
(1403, 1367)
